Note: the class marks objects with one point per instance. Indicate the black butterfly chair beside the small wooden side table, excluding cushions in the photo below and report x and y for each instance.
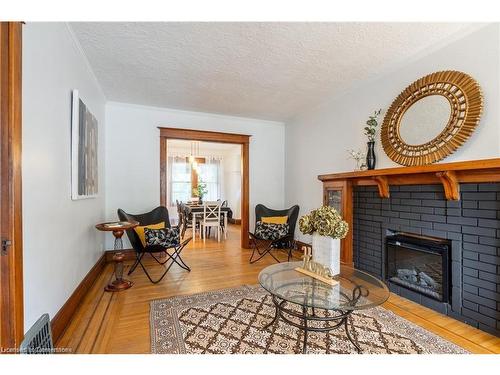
(173, 253)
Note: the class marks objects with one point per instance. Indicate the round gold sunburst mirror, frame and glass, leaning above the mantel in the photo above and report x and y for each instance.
(432, 118)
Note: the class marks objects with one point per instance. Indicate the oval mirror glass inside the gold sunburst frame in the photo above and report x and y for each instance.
(425, 120)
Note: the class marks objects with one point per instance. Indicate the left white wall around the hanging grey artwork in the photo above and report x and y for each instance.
(60, 242)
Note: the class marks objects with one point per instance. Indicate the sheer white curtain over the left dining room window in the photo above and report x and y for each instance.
(179, 179)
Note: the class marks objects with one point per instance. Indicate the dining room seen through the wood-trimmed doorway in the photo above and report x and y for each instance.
(203, 188)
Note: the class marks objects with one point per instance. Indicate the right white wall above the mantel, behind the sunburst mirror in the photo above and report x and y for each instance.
(317, 140)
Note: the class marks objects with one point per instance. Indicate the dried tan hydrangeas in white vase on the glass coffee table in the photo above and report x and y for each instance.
(327, 229)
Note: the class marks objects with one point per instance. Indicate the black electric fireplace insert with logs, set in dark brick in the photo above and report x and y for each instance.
(419, 263)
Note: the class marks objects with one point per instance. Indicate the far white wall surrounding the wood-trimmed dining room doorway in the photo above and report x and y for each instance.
(133, 155)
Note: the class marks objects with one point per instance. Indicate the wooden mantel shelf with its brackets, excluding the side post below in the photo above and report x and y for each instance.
(450, 175)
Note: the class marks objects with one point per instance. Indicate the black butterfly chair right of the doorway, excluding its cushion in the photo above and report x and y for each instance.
(263, 245)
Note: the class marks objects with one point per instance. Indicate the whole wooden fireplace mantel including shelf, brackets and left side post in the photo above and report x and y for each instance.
(338, 187)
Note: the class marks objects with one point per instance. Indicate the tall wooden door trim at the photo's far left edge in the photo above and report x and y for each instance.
(11, 268)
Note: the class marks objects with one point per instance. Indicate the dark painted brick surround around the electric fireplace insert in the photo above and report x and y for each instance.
(471, 223)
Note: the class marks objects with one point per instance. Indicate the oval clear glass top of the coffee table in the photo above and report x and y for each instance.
(356, 289)
